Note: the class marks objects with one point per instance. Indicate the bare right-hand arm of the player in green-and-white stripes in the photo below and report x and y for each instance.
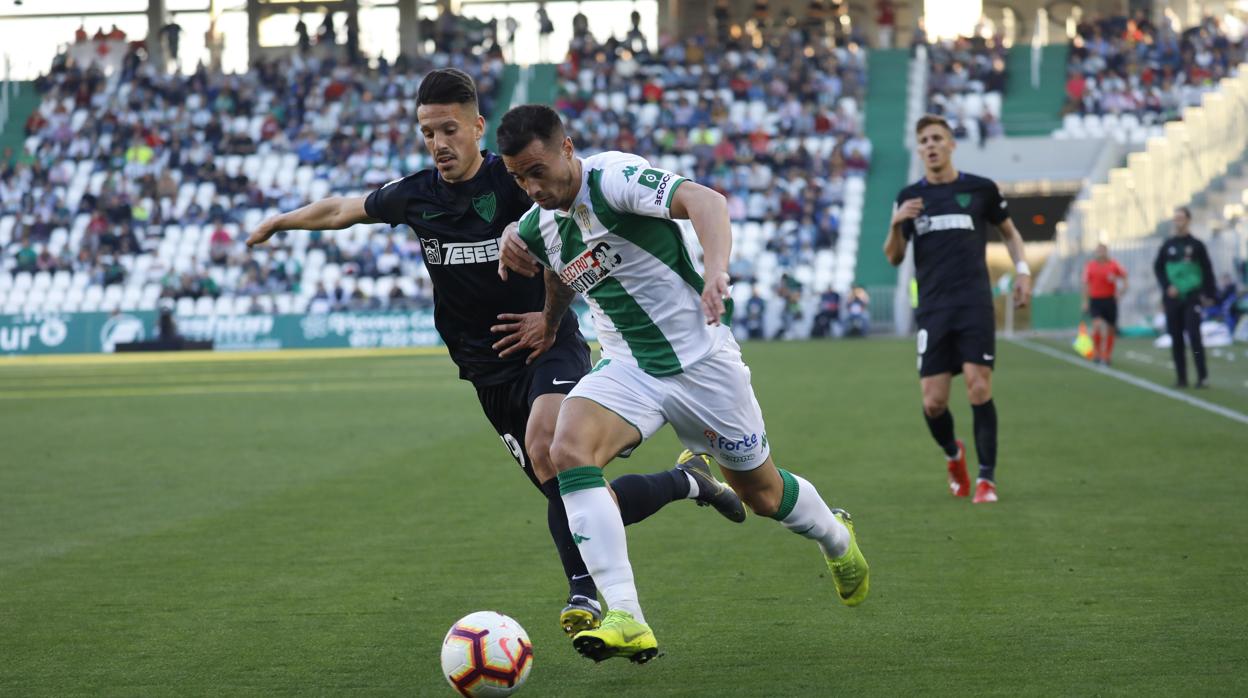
(708, 210)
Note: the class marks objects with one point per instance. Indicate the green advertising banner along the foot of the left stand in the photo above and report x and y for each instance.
(100, 333)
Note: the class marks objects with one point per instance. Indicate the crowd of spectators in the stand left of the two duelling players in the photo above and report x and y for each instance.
(145, 138)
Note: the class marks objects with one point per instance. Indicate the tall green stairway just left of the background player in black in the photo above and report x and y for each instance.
(885, 123)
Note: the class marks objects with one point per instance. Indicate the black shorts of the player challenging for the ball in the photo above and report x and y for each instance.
(507, 405)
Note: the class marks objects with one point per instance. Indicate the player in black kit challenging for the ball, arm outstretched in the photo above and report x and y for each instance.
(495, 329)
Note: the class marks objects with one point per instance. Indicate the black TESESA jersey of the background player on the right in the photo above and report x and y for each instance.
(952, 238)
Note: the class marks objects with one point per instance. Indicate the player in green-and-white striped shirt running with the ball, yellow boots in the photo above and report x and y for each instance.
(603, 228)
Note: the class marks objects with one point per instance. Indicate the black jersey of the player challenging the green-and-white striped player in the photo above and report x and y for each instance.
(460, 227)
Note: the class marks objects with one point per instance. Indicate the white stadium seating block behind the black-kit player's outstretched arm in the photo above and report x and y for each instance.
(68, 215)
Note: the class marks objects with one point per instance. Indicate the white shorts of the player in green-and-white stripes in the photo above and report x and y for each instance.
(712, 405)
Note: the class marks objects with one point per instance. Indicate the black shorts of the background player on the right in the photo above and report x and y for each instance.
(950, 338)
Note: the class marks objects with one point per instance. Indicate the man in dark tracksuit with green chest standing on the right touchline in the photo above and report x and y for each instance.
(1186, 277)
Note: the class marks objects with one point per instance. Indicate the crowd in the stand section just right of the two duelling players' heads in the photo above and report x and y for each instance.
(769, 117)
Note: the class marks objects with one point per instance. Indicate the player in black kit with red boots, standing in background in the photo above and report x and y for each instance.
(947, 215)
